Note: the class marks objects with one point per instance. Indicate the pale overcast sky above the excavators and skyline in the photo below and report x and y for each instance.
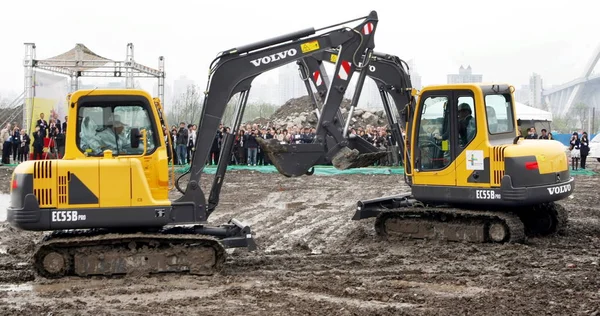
(503, 40)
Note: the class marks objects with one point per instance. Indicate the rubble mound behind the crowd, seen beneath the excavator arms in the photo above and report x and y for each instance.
(301, 112)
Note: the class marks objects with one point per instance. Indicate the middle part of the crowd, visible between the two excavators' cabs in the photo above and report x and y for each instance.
(246, 150)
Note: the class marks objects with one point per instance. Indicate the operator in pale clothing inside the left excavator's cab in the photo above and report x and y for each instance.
(112, 137)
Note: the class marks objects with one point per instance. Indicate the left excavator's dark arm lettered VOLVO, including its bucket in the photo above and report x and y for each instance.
(234, 70)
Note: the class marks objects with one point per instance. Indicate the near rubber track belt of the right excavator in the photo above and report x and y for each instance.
(513, 223)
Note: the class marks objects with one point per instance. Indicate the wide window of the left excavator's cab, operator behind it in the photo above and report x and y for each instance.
(108, 127)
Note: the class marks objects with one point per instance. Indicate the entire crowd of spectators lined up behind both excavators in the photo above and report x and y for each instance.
(15, 142)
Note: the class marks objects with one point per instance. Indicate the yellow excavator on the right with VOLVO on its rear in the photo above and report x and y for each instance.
(471, 177)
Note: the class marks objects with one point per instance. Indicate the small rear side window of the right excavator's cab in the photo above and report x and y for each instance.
(498, 109)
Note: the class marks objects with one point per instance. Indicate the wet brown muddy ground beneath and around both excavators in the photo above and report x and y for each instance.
(314, 260)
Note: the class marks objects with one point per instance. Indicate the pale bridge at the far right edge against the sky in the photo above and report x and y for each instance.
(585, 89)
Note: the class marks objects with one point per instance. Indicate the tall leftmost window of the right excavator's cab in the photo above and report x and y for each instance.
(433, 134)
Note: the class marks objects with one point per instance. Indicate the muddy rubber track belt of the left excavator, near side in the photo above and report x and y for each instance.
(80, 240)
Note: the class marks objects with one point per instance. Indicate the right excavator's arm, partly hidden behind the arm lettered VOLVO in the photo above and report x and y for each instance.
(391, 75)
